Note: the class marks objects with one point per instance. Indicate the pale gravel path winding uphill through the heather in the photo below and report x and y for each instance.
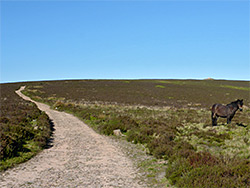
(79, 158)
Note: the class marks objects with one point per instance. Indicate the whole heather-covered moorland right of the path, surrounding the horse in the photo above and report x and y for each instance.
(169, 118)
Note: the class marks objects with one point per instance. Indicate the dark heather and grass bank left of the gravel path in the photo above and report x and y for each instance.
(24, 129)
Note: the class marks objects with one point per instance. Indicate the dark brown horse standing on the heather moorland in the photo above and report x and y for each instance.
(225, 111)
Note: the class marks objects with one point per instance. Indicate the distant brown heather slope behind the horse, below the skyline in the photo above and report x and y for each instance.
(173, 93)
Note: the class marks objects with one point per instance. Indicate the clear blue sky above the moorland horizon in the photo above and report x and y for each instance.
(51, 40)
